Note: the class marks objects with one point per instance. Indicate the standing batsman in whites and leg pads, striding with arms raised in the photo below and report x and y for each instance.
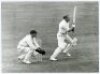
(64, 40)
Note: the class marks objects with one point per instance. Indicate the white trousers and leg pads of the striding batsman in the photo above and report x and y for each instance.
(63, 44)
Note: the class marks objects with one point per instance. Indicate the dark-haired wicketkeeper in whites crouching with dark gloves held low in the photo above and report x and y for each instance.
(30, 48)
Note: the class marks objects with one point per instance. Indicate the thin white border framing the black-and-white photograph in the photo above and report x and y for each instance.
(41, 1)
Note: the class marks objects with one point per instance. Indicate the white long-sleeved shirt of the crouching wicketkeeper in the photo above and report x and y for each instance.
(28, 41)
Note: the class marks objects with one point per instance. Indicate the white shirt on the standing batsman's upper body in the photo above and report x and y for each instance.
(63, 26)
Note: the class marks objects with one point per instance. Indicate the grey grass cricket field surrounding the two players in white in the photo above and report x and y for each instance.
(18, 18)
